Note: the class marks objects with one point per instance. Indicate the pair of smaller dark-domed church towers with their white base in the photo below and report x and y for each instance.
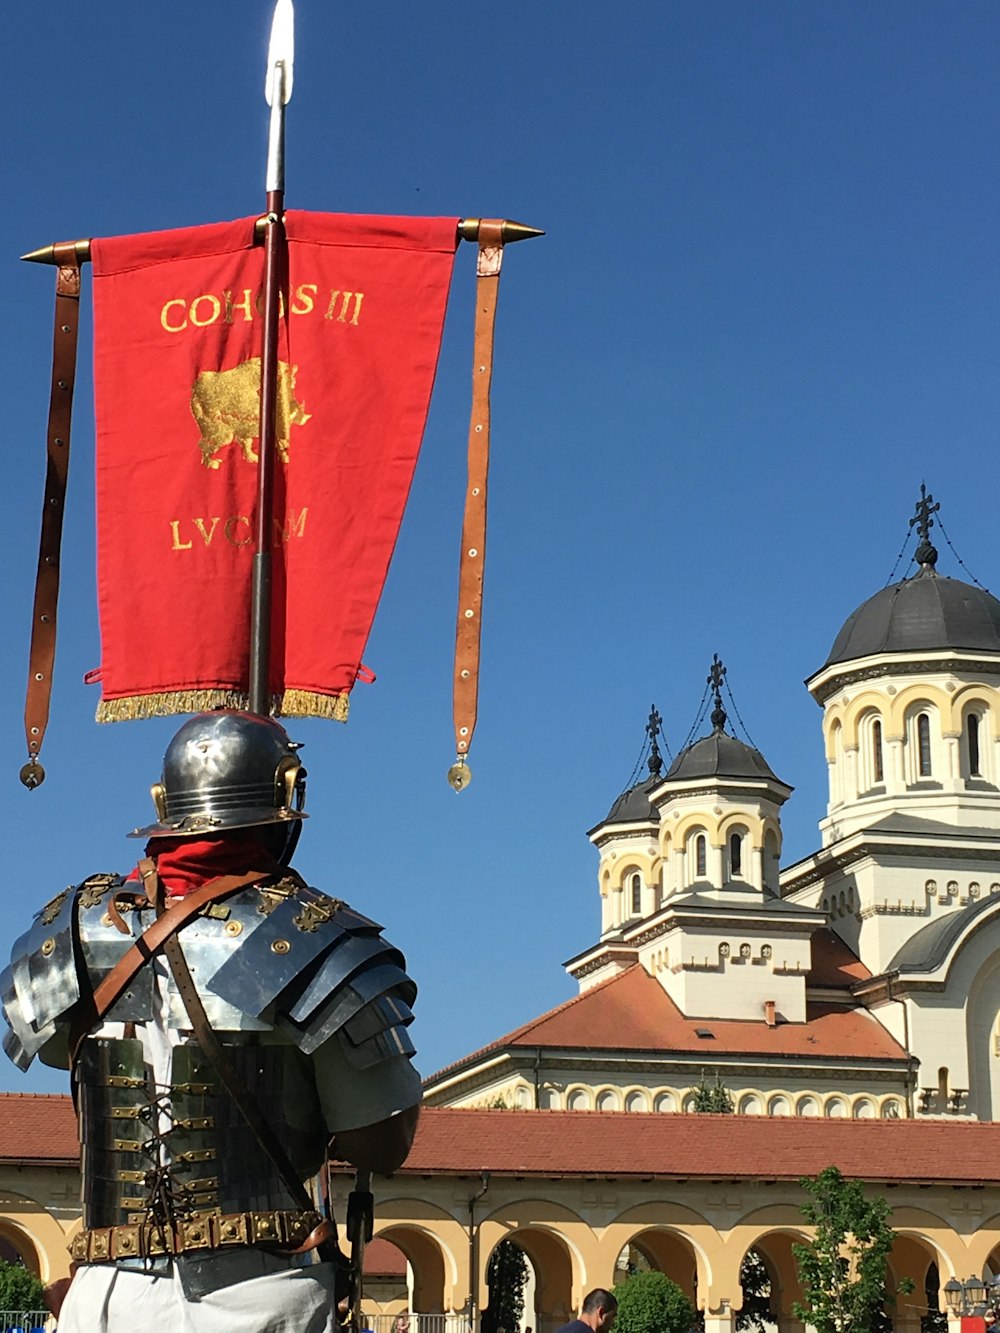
(690, 886)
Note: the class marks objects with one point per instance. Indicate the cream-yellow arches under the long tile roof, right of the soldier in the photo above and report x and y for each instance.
(577, 1235)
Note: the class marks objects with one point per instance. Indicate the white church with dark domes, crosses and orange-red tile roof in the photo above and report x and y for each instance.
(859, 983)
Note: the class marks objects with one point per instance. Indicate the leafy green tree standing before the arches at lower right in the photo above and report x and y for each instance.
(843, 1271)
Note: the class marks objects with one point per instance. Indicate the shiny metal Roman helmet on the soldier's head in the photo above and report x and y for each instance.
(227, 771)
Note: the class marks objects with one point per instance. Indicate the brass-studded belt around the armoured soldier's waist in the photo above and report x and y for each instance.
(286, 1231)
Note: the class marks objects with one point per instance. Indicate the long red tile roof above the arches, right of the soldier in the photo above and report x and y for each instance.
(629, 1144)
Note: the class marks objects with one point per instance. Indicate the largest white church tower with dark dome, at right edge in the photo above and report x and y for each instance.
(910, 868)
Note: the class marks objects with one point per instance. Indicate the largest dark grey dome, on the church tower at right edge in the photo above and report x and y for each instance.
(925, 613)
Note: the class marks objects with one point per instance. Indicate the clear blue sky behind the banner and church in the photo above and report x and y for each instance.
(766, 309)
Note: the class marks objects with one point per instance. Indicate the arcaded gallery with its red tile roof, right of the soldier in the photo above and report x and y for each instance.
(695, 1215)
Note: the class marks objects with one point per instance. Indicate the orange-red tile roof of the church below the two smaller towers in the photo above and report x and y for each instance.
(633, 1012)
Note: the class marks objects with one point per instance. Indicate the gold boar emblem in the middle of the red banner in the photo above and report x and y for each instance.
(226, 406)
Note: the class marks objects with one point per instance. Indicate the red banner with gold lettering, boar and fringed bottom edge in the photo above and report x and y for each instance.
(178, 343)
